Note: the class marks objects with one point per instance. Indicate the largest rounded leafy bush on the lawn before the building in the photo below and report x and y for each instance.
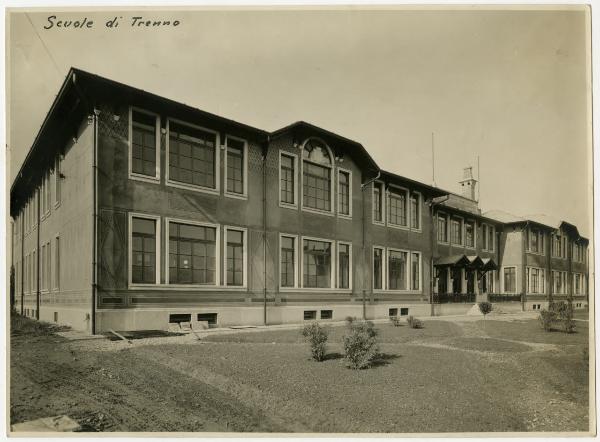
(360, 344)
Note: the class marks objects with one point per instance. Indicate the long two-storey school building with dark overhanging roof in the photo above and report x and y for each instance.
(132, 211)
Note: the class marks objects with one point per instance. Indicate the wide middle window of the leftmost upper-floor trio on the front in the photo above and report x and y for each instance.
(192, 155)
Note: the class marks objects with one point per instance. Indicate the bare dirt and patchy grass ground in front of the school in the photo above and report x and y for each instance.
(447, 377)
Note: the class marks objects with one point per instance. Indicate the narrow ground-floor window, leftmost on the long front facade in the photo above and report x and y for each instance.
(143, 251)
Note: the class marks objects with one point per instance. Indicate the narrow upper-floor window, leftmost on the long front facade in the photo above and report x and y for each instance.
(143, 144)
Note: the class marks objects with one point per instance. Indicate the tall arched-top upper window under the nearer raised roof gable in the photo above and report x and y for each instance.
(316, 176)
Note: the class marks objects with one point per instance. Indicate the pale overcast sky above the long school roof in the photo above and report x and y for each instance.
(507, 86)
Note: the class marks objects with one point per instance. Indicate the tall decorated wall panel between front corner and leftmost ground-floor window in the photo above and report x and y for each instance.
(112, 246)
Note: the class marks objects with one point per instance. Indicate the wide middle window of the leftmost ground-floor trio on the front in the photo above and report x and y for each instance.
(192, 254)
